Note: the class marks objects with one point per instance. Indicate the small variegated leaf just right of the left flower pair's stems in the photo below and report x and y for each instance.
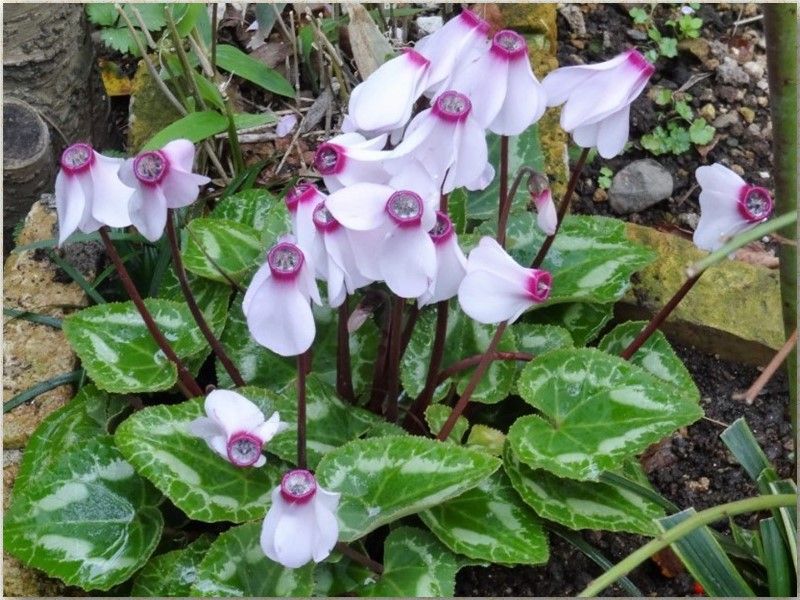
(217, 248)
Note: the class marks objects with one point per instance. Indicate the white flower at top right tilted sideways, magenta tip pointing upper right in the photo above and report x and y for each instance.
(597, 99)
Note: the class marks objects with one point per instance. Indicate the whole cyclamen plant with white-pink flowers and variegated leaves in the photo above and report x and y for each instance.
(370, 438)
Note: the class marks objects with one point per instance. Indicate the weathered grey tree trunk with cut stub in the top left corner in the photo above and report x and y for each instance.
(48, 61)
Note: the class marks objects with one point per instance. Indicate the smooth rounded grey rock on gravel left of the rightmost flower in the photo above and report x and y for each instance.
(639, 185)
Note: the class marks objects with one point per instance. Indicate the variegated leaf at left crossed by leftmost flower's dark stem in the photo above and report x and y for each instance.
(117, 350)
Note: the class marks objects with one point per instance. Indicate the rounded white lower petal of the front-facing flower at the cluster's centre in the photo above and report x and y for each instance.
(408, 261)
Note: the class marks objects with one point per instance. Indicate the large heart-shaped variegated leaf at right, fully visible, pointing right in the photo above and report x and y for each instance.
(596, 409)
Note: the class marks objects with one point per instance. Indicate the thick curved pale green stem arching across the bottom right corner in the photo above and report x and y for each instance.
(672, 535)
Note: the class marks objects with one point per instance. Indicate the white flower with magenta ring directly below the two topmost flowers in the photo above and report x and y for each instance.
(448, 142)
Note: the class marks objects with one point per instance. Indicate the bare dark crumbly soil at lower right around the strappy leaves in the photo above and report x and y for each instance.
(692, 468)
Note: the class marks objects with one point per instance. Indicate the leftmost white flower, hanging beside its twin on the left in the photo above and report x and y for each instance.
(88, 192)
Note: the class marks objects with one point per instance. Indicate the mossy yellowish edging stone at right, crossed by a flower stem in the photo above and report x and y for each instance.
(734, 310)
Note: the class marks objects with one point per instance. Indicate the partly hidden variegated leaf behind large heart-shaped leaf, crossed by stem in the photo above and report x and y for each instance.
(656, 355)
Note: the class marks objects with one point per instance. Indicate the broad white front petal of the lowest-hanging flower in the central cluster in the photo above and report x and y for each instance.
(279, 317)
